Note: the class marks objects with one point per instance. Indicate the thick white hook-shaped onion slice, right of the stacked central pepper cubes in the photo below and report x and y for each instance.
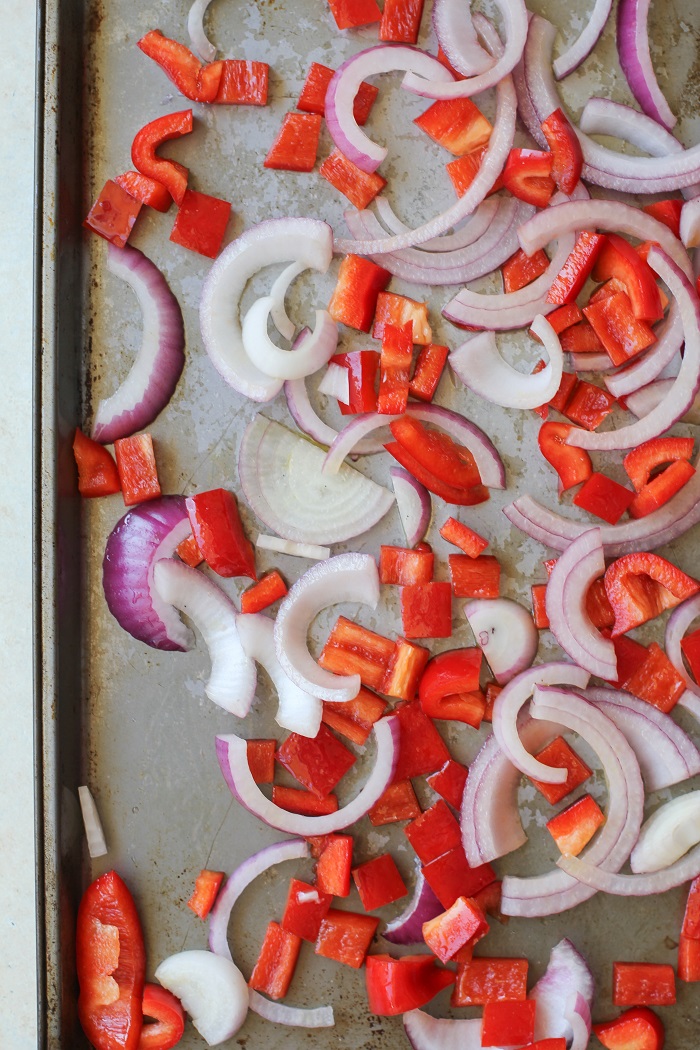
(482, 369)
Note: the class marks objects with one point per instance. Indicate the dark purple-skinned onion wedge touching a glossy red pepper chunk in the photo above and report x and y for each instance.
(140, 539)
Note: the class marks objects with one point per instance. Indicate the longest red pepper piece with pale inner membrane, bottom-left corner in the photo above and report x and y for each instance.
(111, 962)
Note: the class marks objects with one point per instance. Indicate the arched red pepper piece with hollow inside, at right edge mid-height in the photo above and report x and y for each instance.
(641, 586)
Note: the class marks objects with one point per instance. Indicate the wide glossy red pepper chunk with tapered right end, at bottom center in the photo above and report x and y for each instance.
(398, 985)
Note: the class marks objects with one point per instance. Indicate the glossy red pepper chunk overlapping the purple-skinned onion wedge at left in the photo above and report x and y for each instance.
(218, 529)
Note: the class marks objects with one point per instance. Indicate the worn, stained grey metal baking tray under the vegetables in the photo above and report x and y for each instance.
(134, 723)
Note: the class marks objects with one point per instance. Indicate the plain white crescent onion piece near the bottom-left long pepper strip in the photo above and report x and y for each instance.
(211, 989)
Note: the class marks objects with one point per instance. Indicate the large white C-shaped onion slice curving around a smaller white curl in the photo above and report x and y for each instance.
(307, 242)
